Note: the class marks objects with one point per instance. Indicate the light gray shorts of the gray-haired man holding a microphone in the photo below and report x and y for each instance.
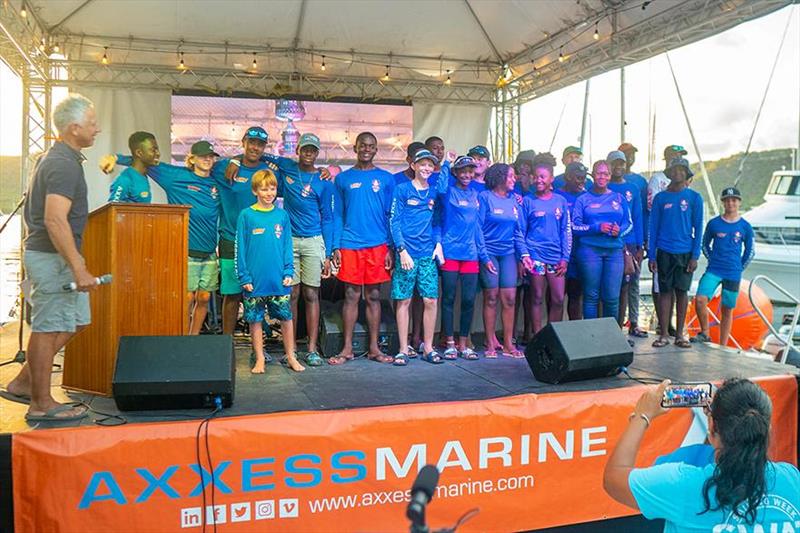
(52, 308)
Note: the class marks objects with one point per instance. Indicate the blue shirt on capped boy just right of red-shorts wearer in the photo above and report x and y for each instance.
(412, 221)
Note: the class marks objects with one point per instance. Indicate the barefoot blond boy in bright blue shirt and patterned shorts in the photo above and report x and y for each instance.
(265, 267)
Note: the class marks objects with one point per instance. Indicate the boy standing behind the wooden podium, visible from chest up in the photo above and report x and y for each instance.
(132, 185)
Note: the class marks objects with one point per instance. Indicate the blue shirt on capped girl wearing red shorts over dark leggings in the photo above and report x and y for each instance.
(462, 235)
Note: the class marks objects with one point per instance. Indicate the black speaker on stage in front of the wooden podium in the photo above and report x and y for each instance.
(181, 372)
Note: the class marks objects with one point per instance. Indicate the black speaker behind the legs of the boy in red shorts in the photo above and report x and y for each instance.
(332, 326)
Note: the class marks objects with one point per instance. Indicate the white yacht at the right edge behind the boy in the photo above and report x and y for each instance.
(776, 224)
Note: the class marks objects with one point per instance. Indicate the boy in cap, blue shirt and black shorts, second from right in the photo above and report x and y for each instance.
(676, 225)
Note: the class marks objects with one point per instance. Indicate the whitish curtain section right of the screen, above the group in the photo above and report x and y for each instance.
(461, 126)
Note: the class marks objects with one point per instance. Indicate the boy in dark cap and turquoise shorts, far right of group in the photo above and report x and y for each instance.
(728, 246)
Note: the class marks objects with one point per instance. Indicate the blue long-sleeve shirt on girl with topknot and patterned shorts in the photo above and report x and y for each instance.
(548, 230)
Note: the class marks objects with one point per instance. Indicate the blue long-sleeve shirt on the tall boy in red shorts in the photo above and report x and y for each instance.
(361, 203)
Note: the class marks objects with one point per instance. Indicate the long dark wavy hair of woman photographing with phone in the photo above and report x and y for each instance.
(741, 411)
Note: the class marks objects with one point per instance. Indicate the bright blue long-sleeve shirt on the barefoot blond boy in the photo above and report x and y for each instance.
(264, 250)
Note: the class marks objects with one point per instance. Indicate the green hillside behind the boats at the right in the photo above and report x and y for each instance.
(758, 169)
